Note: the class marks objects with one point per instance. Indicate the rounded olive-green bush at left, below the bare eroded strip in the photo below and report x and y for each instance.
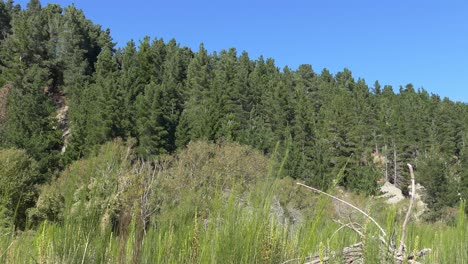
(87, 188)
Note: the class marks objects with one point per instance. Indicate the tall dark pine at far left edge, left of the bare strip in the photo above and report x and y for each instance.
(29, 66)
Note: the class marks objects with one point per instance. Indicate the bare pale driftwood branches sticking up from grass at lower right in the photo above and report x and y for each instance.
(354, 253)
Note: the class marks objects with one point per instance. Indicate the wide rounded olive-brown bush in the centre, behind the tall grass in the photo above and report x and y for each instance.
(202, 172)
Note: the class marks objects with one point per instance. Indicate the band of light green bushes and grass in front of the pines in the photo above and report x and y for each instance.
(209, 204)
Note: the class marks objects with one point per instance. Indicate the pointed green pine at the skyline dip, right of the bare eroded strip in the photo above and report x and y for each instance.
(96, 107)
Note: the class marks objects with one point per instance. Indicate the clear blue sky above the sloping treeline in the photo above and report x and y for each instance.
(424, 42)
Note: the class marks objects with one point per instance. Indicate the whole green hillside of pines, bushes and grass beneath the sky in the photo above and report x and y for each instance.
(152, 152)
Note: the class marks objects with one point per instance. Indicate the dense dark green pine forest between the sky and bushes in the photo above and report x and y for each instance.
(162, 96)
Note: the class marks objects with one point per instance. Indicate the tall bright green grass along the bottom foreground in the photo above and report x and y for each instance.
(232, 233)
